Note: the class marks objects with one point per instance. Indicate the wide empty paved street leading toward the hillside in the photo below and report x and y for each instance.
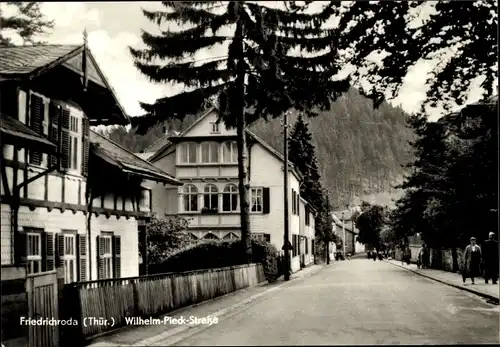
(358, 302)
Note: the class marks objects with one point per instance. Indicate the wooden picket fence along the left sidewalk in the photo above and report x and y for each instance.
(152, 295)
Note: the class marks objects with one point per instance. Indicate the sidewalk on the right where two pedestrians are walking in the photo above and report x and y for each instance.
(489, 291)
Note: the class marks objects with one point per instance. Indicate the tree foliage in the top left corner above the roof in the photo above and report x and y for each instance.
(28, 22)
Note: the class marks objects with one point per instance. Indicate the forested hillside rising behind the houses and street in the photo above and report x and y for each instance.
(359, 150)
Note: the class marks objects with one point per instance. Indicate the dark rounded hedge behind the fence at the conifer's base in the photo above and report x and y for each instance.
(214, 254)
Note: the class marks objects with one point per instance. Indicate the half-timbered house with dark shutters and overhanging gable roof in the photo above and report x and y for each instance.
(81, 199)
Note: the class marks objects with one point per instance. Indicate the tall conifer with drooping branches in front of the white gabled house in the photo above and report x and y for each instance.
(257, 77)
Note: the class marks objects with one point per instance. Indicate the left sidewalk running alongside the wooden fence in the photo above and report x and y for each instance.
(219, 307)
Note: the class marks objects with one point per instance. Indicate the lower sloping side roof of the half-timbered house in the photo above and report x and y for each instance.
(126, 160)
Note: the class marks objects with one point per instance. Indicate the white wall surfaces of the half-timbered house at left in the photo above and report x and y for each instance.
(58, 199)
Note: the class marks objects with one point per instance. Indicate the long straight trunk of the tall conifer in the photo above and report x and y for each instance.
(243, 185)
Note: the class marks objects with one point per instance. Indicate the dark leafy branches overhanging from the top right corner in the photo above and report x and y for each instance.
(460, 35)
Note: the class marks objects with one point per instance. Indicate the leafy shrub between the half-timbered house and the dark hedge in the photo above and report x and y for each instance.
(165, 237)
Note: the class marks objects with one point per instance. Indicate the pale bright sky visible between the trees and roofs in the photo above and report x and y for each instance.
(113, 26)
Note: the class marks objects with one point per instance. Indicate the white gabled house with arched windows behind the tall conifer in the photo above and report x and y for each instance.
(204, 158)
